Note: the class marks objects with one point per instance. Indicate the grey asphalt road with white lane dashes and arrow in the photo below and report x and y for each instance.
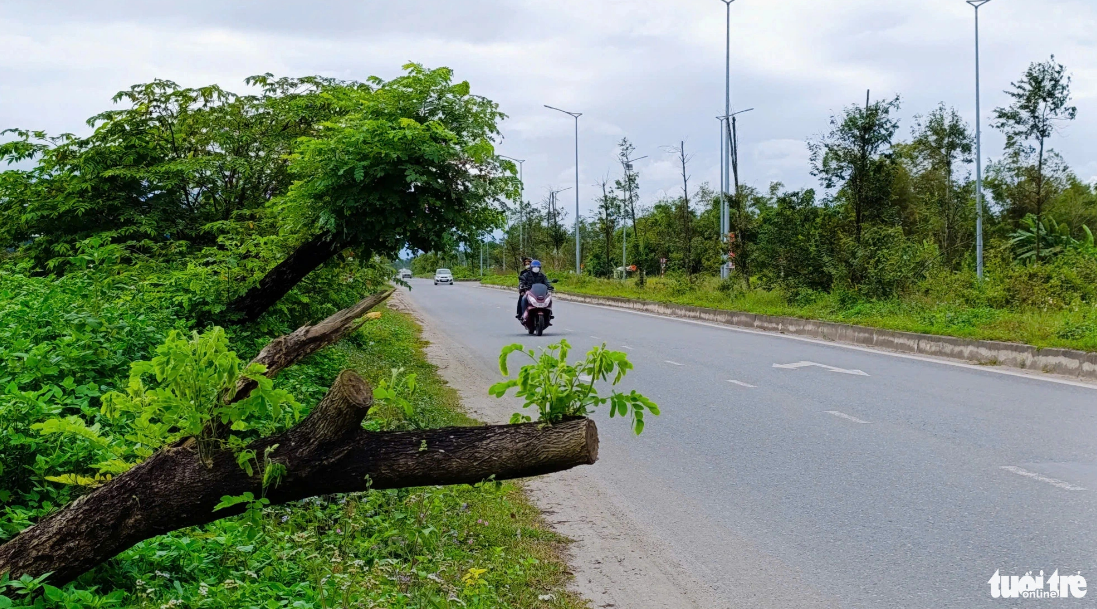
(878, 482)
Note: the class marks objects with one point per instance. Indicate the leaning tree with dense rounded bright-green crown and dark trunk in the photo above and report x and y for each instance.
(412, 162)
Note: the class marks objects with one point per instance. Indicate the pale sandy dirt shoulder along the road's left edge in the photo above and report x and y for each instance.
(617, 562)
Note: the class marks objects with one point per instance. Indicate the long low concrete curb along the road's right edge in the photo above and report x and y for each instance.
(1068, 363)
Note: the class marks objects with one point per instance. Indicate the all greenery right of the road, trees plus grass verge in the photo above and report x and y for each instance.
(889, 241)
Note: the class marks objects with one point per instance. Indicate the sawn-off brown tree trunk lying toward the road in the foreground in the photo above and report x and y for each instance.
(327, 453)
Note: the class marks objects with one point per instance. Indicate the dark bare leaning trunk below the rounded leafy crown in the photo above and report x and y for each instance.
(285, 277)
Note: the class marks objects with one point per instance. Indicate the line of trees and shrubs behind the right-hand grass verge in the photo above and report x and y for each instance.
(892, 212)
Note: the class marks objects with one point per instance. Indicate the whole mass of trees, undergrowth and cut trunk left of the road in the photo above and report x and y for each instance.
(159, 274)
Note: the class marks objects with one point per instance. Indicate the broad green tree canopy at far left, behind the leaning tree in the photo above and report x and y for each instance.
(166, 168)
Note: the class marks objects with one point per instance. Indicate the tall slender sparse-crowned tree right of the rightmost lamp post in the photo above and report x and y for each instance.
(1041, 103)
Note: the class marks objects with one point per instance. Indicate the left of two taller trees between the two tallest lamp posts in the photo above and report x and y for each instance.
(855, 157)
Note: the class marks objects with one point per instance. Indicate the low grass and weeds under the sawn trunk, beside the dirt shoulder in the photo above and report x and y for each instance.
(482, 547)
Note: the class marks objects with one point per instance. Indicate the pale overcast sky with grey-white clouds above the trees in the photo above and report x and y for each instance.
(652, 71)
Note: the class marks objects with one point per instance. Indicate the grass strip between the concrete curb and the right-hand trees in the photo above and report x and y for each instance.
(1071, 329)
